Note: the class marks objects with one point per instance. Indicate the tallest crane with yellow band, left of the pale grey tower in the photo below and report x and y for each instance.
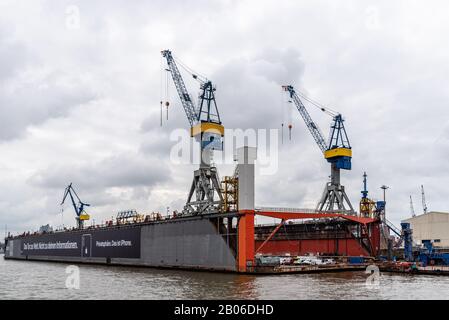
(206, 127)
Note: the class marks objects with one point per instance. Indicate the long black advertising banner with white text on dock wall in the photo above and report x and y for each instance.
(113, 243)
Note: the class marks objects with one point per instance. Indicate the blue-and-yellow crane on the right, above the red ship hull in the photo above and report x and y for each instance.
(337, 152)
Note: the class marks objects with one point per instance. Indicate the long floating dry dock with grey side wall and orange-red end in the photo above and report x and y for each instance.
(217, 242)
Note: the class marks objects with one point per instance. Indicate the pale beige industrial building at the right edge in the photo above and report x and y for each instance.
(433, 226)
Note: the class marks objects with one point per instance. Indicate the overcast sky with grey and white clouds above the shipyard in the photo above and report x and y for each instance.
(80, 85)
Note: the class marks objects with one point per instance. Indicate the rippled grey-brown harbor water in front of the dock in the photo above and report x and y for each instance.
(43, 280)
